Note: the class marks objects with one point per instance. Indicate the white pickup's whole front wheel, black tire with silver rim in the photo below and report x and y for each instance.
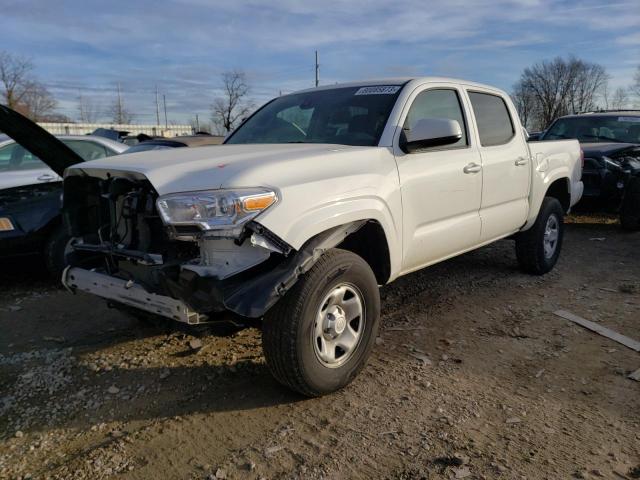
(319, 336)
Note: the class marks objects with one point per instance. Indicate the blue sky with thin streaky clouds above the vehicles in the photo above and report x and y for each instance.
(183, 45)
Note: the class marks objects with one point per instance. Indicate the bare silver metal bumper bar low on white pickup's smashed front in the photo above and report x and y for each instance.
(129, 293)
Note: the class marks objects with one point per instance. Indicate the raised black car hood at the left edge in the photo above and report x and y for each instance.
(37, 141)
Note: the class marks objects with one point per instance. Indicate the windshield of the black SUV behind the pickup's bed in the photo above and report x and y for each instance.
(596, 129)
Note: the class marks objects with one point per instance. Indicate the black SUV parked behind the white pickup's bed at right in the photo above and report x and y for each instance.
(611, 174)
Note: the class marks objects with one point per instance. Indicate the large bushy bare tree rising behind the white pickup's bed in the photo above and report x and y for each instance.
(558, 87)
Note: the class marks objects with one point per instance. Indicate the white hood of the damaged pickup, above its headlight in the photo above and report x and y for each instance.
(225, 166)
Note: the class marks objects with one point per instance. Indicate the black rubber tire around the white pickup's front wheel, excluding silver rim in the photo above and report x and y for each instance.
(290, 326)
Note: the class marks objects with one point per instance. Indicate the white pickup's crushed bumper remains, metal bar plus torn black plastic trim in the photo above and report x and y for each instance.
(189, 294)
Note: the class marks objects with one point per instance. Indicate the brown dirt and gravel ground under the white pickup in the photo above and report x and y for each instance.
(472, 377)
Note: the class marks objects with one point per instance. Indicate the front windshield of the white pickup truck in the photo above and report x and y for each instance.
(345, 116)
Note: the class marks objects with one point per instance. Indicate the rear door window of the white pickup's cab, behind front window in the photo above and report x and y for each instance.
(492, 117)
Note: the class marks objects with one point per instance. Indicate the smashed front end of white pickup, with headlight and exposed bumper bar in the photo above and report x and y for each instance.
(190, 257)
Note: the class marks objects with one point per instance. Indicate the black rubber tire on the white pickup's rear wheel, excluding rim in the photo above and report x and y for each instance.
(530, 244)
